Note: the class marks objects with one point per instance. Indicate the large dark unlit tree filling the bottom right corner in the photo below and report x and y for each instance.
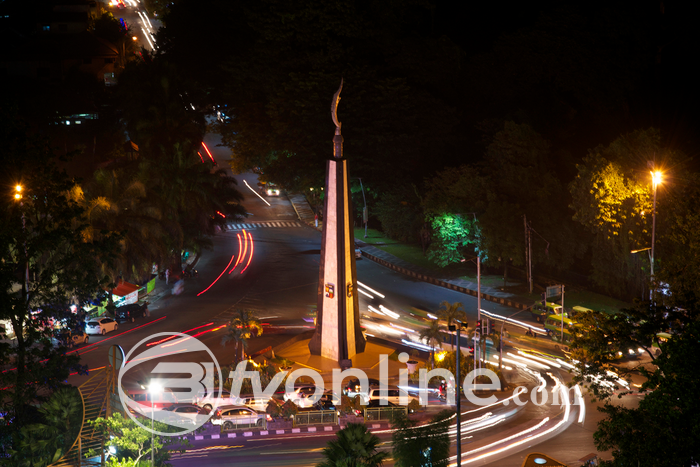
(663, 430)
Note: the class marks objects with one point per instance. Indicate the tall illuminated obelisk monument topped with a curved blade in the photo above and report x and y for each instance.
(338, 335)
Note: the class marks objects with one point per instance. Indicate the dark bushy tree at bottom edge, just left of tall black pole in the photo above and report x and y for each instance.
(422, 445)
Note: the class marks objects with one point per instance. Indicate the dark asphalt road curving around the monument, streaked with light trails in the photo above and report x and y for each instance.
(280, 285)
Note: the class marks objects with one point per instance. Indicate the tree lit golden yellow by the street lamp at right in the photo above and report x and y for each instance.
(612, 198)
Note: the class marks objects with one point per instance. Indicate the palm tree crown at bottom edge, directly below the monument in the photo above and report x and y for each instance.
(354, 447)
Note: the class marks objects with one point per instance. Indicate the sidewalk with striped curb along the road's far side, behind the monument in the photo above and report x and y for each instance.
(306, 215)
